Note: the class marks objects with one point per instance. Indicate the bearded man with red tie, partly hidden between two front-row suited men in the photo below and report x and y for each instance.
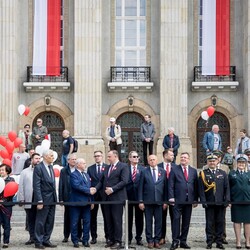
(167, 164)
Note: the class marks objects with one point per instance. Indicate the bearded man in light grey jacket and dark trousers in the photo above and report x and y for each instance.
(25, 194)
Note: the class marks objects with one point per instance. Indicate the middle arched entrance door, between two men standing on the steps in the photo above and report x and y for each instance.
(130, 123)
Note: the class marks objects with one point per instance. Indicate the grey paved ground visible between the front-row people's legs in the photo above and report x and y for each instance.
(196, 238)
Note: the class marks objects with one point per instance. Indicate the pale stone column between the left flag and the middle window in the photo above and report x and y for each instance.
(87, 72)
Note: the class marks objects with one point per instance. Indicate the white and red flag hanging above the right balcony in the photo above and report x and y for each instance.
(216, 37)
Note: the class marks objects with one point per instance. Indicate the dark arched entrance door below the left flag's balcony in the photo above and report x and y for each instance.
(55, 125)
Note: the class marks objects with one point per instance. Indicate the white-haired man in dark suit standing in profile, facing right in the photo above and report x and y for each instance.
(44, 193)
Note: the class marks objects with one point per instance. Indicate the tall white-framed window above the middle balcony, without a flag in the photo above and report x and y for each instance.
(130, 30)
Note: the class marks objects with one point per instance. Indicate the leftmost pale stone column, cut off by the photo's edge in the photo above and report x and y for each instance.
(8, 64)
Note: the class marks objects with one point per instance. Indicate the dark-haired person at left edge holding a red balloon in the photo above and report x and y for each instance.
(8, 191)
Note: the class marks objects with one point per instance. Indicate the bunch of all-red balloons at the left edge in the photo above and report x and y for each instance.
(9, 146)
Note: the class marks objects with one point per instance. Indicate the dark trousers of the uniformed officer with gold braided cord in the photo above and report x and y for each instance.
(214, 223)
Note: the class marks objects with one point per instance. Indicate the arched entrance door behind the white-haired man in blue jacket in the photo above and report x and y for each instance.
(205, 126)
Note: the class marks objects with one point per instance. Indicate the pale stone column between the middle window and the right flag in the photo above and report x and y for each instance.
(174, 84)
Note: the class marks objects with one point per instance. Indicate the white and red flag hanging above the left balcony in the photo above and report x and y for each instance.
(46, 42)
